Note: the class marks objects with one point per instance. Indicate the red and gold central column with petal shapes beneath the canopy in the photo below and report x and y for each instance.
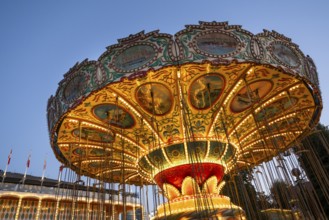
(193, 192)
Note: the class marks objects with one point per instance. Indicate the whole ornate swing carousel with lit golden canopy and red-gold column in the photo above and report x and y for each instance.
(183, 111)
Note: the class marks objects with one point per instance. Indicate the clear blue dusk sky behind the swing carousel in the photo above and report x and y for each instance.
(41, 40)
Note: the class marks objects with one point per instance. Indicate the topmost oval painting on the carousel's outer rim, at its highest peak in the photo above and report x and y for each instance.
(216, 43)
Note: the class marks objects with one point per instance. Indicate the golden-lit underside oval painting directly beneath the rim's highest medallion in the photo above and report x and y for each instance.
(205, 91)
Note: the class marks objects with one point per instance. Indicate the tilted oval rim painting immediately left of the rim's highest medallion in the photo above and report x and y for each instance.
(135, 57)
